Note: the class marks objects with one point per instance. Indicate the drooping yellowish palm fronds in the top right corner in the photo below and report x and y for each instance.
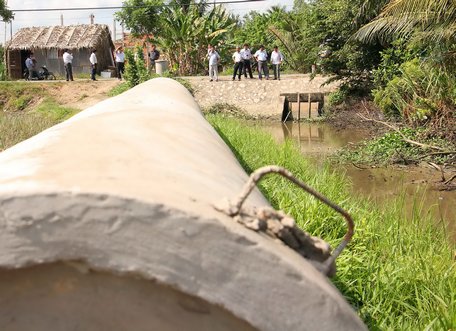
(430, 19)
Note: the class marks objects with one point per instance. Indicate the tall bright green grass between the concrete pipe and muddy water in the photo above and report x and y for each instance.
(399, 273)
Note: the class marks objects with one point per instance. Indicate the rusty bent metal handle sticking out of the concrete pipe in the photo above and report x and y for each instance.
(256, 176)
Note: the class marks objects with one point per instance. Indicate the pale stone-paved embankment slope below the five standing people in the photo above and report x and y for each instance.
(256, 97)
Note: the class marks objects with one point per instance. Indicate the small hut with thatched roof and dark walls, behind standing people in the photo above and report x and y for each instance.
(48, 43)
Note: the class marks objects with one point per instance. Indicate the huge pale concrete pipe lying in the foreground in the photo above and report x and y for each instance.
(107, 223)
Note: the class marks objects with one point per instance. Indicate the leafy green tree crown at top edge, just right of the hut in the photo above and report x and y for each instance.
(141, 17)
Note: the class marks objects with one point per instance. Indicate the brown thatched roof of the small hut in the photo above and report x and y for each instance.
(72, 37)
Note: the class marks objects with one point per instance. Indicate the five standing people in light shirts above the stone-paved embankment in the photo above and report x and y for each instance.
(242, 59)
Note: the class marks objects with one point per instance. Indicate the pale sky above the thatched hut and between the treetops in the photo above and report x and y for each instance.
(24, 19)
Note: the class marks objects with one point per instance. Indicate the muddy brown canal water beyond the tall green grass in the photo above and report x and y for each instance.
(317, 141)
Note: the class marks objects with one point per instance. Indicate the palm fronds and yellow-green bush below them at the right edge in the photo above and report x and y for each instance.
(416, 78)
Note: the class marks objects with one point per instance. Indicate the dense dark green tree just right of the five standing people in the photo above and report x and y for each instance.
(318, 33)
